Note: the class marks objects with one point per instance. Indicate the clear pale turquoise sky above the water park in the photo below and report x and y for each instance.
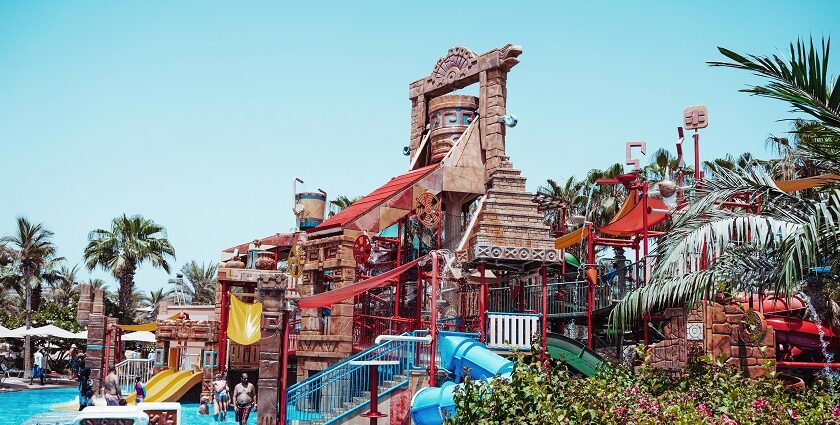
(198, 114)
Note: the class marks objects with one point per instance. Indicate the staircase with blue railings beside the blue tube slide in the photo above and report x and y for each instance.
(342, 391)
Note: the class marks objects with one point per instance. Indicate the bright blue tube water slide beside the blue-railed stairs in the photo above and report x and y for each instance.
(431, 405)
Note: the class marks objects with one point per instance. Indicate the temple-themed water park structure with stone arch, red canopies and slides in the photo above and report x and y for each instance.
(450, 267)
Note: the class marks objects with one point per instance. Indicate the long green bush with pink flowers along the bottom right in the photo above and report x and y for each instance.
(708, 392)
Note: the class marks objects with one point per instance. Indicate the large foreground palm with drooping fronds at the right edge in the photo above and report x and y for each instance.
(779, 247)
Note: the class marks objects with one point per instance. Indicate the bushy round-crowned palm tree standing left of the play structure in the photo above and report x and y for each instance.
(130, 242)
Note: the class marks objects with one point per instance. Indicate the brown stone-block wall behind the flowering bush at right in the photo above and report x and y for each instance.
(740, 337)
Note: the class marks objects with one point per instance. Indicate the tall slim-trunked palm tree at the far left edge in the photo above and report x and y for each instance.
(34, 248)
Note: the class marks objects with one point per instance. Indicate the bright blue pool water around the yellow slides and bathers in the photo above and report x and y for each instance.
(18, 406)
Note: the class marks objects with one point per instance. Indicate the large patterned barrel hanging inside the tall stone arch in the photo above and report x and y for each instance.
(449, 116)
